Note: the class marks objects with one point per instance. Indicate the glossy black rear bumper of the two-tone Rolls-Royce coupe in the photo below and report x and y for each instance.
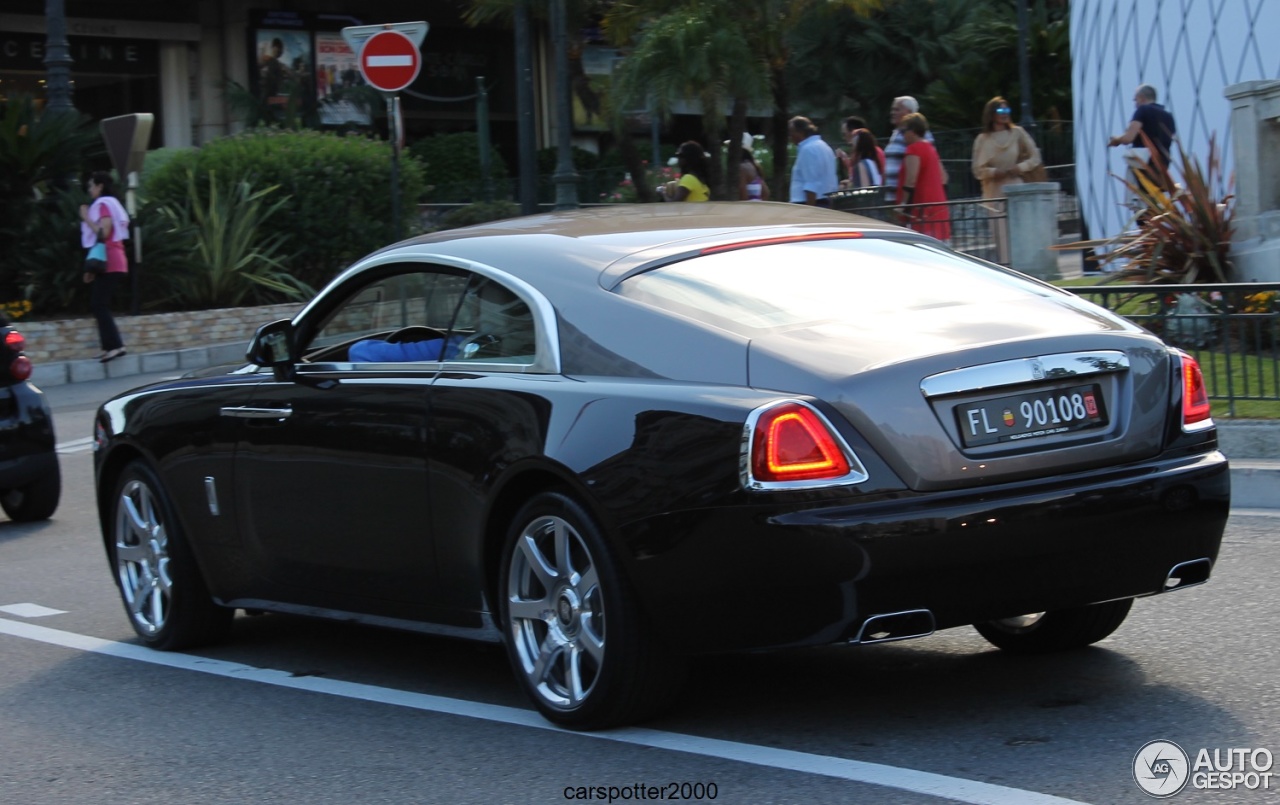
(756, 577)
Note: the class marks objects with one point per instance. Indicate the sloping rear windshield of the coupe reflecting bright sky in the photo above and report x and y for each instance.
(848, 281)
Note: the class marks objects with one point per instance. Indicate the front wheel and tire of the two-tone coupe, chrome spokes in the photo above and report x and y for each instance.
(161, 584)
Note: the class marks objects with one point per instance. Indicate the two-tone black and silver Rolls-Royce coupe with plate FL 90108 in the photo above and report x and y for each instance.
(616, 438)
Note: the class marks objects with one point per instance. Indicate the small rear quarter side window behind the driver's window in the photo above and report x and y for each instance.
(496, 326)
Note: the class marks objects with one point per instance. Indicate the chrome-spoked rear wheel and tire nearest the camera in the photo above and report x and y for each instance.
(575, 634)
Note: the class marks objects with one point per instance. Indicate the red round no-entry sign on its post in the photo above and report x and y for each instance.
(390, 61)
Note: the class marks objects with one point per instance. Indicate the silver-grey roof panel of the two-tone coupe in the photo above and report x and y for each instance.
(612, 241)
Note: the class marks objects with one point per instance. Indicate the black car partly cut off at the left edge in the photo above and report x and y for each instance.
(30, 479)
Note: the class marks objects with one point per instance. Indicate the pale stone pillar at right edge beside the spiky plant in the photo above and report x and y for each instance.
(1256, 143)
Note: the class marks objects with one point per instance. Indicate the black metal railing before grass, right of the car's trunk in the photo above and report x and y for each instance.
(1233, 331)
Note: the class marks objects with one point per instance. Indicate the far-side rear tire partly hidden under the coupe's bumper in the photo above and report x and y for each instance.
(1057, 632)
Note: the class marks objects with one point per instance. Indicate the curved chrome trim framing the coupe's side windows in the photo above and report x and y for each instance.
(547, 359)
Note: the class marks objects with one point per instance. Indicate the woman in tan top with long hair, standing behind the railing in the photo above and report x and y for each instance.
(1003, 154)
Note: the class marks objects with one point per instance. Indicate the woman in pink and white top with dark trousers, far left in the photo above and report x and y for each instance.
(104, 223)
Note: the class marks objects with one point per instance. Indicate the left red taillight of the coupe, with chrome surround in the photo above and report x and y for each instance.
(792, 445)
